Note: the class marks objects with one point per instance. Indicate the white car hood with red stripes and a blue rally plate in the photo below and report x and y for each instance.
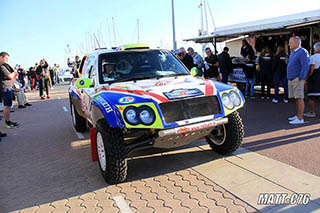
(166, 89)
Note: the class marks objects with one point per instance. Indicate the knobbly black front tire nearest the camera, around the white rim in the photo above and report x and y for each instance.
(115, 153)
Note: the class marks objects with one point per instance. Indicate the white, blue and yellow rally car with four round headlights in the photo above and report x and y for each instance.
(134, 98)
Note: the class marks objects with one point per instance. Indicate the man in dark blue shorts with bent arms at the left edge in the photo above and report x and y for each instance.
(6, 74)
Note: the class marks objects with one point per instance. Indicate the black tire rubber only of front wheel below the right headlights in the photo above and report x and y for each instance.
(234, 135)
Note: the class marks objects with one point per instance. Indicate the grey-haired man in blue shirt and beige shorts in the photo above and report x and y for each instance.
(297, 71)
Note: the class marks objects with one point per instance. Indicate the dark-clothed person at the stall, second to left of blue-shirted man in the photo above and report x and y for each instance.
(265, 64)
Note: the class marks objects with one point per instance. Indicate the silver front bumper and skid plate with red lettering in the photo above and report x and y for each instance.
(183, 135)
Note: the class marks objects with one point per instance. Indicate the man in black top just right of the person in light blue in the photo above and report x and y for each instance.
(212, 64)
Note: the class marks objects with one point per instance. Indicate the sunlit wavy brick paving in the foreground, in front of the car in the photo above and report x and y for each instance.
(182, 191)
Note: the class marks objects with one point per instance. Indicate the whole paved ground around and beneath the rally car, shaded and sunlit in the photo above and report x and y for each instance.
(46, 167)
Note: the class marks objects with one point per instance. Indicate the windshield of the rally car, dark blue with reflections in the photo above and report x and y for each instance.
(134, 65)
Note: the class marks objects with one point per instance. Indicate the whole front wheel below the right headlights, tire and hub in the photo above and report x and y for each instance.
(227, 138)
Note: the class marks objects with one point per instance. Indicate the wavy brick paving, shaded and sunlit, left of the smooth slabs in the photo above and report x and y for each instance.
(41, 172)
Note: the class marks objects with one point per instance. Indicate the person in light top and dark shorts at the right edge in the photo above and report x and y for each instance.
(313, 80)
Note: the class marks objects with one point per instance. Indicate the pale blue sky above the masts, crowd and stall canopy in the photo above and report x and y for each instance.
(33, 29)
